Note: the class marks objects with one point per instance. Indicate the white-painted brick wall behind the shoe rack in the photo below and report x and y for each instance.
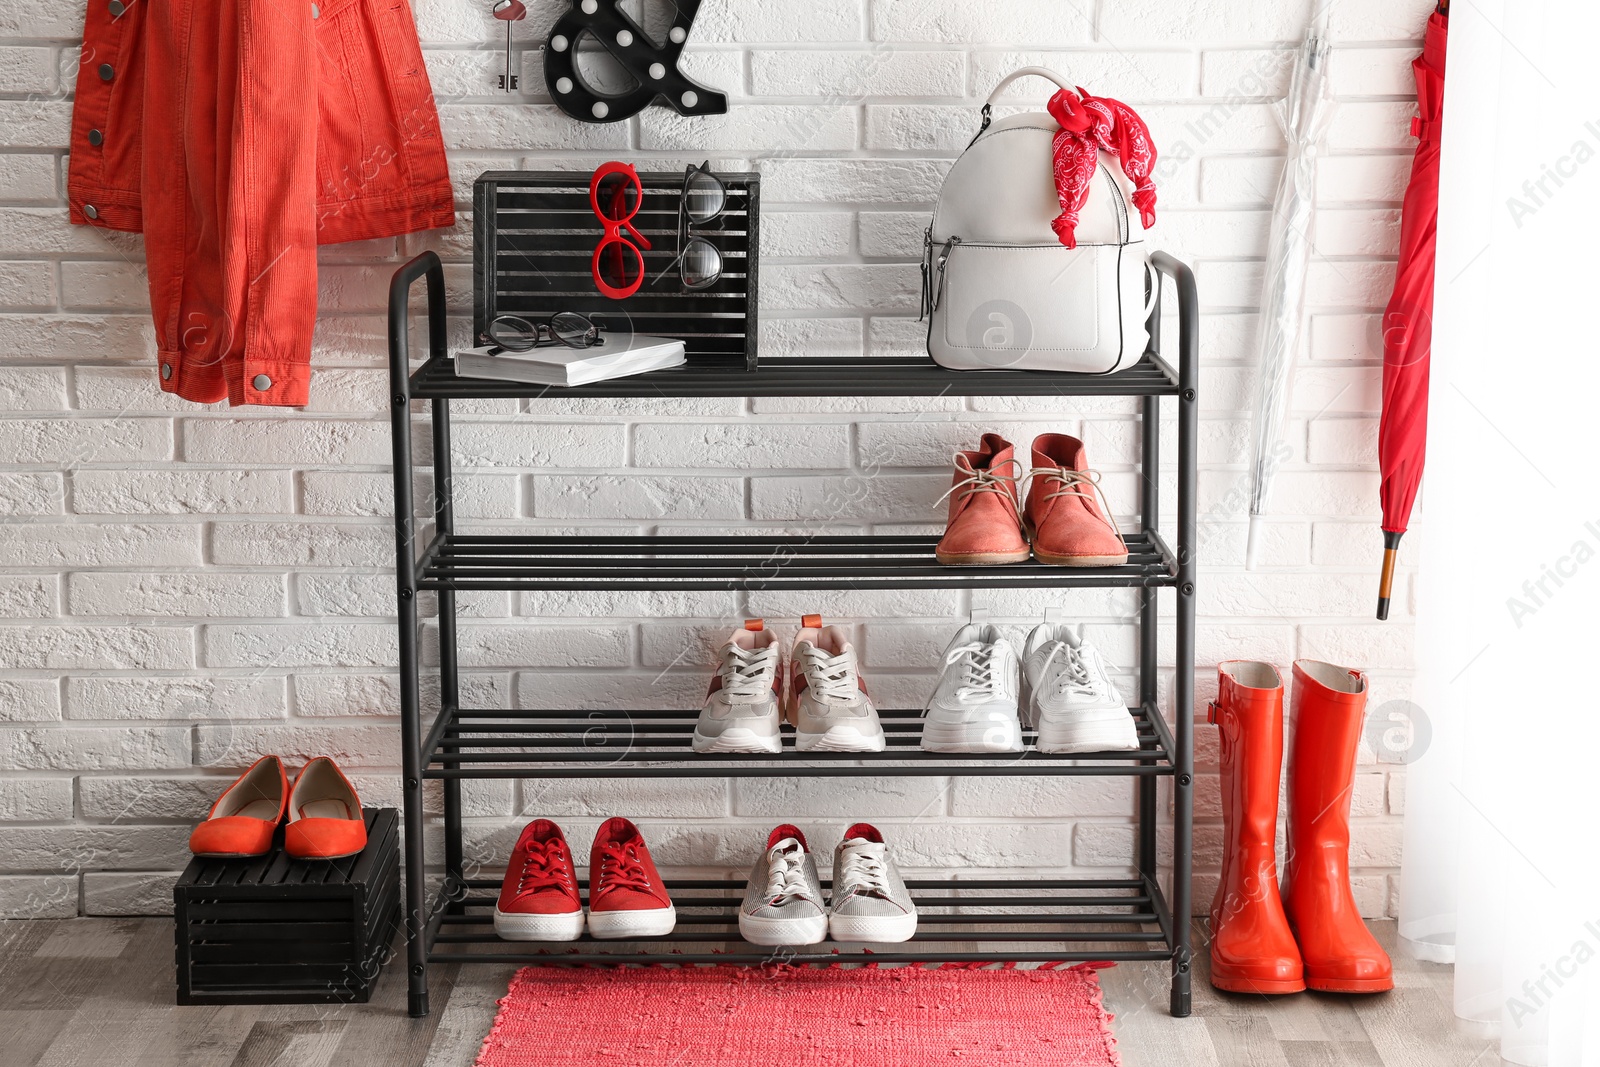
(183, 588)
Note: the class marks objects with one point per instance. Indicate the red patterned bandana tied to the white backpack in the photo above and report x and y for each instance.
(1090, 124)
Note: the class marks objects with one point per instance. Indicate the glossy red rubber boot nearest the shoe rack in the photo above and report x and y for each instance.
(1252, 946)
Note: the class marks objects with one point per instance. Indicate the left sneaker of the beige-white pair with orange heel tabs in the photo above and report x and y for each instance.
(742, 708)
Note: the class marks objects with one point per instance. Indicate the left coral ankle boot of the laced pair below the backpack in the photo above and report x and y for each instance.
(986, 521)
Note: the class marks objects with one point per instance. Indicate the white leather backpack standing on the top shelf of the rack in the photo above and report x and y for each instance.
(999, 287)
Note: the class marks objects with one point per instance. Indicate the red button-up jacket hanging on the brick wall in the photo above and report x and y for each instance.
(239, 135)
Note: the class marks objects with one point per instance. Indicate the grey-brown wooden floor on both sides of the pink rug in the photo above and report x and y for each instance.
(100, 993)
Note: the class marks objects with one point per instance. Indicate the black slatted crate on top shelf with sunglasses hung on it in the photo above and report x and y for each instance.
(534, 242)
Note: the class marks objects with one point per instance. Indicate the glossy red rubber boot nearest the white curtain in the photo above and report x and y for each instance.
(1326, 727)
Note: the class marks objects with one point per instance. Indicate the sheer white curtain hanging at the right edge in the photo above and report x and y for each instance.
(1503, 841)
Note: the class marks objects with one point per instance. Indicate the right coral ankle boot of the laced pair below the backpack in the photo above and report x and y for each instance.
(1068, 518)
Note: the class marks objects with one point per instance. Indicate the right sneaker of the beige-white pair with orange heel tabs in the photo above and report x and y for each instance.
(828, 703)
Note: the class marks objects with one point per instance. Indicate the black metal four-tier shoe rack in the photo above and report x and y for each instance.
(962, 921)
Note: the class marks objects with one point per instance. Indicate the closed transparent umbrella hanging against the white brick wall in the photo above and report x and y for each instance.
(1305, 114)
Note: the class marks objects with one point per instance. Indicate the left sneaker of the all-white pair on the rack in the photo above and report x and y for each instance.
(975, 703)
